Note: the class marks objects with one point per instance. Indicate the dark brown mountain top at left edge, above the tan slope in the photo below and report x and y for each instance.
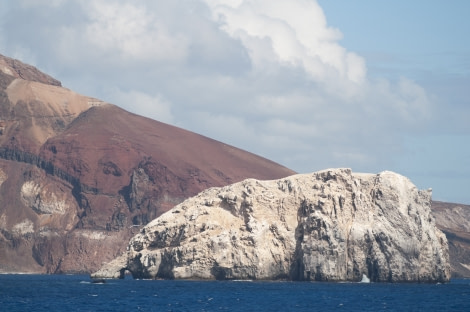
(18, 69)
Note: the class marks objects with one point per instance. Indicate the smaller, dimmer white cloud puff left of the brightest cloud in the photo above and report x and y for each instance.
(132, 32)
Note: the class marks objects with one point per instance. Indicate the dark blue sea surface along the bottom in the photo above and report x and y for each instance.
(77, 293)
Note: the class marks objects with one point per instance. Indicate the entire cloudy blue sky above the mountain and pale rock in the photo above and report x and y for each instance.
(366, 84)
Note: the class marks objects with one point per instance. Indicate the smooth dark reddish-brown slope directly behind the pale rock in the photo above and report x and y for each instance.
(109, 141)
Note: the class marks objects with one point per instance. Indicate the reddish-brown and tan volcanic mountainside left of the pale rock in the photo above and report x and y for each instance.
(79, 177)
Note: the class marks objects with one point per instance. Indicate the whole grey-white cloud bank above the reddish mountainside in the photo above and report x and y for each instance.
(267, 76)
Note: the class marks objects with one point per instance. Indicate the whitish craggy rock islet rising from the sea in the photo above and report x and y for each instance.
(331, 225)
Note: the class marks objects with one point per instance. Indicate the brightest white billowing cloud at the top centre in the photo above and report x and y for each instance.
(296, 32)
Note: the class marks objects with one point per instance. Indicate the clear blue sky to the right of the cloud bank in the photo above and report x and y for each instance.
(425, 41)
